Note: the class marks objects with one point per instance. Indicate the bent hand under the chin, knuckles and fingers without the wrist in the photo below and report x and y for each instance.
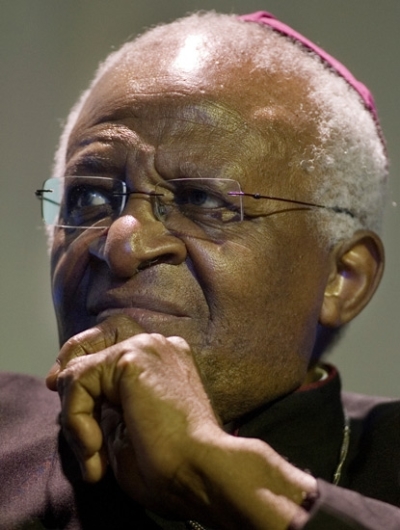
(153, 425)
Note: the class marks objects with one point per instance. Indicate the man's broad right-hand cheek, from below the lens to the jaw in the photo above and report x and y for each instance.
(264, 299)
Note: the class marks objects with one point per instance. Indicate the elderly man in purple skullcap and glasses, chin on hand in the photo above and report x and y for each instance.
(215, 207)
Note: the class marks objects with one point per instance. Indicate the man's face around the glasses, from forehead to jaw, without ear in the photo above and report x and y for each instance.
(247, 300)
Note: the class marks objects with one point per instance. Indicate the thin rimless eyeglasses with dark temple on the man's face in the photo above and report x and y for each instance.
(185, 205)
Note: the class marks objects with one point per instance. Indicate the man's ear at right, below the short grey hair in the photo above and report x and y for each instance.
(356, 270)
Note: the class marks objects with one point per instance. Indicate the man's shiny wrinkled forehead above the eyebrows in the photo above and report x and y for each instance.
(189, 98)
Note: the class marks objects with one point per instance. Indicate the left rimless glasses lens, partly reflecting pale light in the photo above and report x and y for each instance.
(82, 202)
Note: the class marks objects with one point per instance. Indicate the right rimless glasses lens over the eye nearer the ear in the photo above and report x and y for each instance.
(191, 205)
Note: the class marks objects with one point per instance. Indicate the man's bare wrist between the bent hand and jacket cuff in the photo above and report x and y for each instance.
(244, 483)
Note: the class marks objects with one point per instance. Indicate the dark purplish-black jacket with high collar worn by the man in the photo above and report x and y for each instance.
(40, 485)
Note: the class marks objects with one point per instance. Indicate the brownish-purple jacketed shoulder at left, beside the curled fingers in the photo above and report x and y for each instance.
(28, 447)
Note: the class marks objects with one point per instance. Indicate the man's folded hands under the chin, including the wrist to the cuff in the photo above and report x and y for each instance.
(140, 405)
